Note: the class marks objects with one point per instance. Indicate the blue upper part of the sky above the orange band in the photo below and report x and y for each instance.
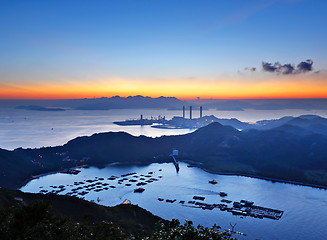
(51, 41)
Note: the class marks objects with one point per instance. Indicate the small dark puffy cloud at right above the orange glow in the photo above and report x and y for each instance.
(288, 68)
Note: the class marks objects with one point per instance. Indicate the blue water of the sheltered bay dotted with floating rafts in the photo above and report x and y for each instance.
(305, 208)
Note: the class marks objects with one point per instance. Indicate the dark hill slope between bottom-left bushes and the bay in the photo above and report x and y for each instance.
(127, 216)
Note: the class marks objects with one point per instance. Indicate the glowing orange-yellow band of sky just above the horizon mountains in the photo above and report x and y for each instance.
(184, 89)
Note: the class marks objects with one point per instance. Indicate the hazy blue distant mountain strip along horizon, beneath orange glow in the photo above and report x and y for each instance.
(171, 103)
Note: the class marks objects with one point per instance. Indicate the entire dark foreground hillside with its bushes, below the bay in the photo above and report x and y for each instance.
(37, 216)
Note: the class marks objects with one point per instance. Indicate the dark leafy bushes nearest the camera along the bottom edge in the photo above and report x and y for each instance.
(38, 221)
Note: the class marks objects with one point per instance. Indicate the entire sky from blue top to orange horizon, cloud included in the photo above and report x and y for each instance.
(187, 49)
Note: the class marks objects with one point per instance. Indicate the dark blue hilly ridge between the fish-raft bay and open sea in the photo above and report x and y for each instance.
(293, 149)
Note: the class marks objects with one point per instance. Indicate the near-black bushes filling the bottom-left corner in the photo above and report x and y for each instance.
(38, 221)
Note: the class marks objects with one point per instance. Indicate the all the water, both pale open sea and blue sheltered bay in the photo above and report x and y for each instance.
(305, 208)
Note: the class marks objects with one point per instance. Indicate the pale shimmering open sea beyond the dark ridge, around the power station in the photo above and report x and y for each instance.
(33, 129)
